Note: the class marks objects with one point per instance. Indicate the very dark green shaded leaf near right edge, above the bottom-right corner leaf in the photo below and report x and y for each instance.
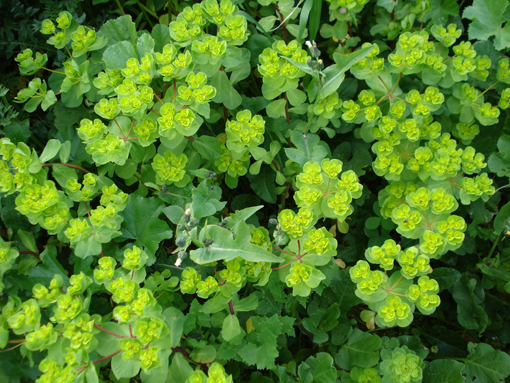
(470, 313)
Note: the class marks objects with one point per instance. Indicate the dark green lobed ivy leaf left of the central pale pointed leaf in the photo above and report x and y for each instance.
(142, 224)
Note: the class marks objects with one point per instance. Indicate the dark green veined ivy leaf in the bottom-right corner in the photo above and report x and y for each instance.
(486, 364)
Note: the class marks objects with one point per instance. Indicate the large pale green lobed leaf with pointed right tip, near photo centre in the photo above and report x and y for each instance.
(225, 247)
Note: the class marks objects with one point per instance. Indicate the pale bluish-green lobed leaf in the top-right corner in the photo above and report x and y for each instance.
(488, 17)
